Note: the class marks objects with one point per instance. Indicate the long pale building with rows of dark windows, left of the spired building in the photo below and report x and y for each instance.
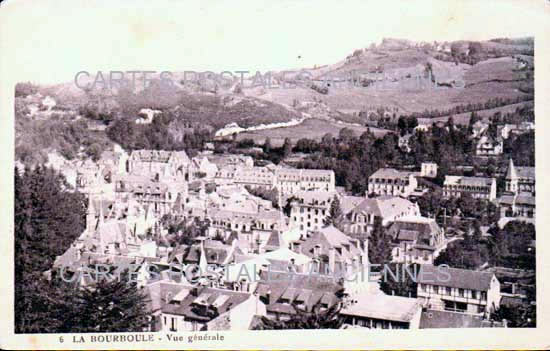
(477, 187)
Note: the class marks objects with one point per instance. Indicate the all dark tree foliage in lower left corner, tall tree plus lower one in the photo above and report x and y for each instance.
(49, 216)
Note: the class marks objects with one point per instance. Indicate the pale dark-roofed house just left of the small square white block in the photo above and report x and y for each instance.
(388, 181)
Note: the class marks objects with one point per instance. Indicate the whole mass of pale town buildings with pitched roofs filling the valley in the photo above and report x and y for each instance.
(253, 261)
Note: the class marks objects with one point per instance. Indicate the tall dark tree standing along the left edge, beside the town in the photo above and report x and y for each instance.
(48, 216)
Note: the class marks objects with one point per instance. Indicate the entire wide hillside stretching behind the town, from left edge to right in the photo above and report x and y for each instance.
(378, 83)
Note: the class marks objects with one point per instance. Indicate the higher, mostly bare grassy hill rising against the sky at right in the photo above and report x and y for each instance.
(464, 72)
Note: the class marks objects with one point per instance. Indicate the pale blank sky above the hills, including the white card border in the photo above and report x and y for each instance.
(55, 39)
